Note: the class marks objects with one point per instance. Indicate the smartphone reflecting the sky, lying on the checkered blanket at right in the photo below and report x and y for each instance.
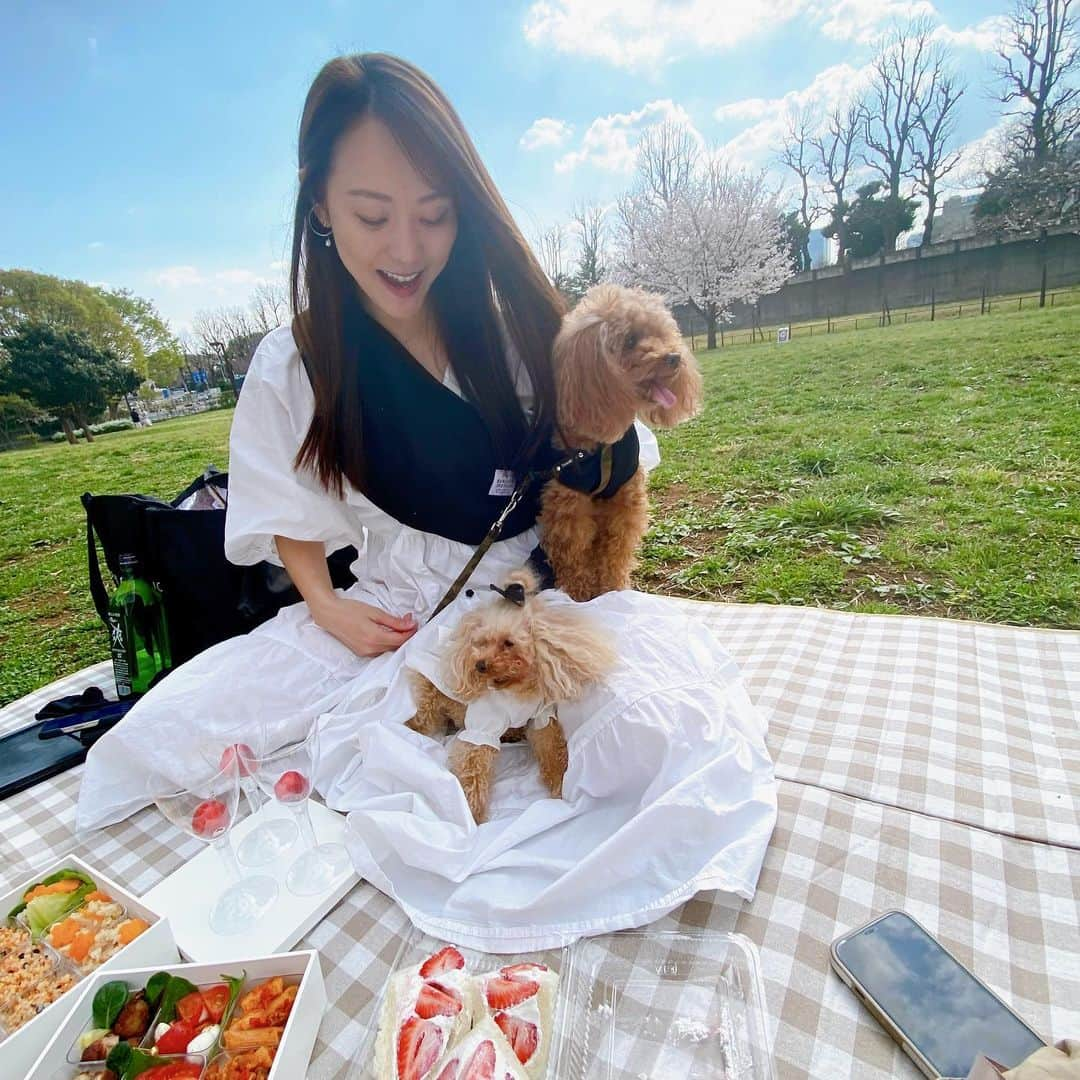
(939, 1012)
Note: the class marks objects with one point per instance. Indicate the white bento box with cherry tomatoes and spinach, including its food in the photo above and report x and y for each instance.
(193, 1022)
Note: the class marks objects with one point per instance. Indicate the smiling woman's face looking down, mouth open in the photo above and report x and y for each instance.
(393, 231)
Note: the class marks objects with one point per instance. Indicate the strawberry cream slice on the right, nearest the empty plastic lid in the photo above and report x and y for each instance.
(521, 1002)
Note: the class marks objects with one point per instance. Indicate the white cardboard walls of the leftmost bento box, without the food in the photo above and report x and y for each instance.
(155, 946)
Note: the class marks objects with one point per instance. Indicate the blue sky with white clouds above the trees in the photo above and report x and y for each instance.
(153, 146)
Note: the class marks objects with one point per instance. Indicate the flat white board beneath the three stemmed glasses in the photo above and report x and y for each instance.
(188, 895)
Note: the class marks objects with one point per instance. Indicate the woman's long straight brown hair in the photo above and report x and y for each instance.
(492, 275)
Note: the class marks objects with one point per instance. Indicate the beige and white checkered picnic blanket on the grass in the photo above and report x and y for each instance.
(923, 764)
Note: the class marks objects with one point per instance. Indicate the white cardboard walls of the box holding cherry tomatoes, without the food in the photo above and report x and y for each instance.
(298, 1041)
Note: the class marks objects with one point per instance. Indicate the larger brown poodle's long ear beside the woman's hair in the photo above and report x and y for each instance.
(593, 402)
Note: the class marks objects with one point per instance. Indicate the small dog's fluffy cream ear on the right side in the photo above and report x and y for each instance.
(570, 652)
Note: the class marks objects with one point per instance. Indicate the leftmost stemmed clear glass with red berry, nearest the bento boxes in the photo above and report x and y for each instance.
(207, 811)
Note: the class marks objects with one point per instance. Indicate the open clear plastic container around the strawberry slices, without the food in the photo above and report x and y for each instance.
(636, 1006)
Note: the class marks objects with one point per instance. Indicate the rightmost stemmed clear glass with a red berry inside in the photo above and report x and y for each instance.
(286, 775)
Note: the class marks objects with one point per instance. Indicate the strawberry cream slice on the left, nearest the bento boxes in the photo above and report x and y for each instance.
(427, 1010)
